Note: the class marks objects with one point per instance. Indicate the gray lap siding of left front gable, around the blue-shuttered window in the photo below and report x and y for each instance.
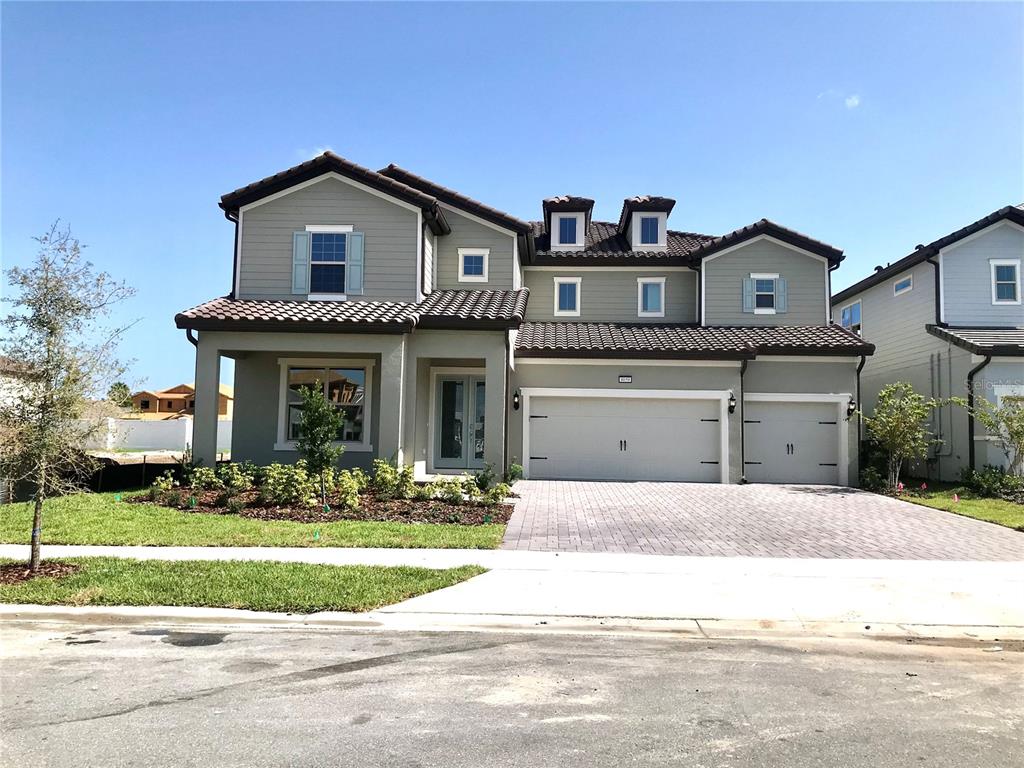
(391, 240)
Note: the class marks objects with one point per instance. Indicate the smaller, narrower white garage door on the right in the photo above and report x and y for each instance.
(791, 443)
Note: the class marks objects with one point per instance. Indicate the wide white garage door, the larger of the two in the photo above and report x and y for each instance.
(609, 439)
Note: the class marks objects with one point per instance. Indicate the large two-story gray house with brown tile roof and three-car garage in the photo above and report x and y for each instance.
(452, 335)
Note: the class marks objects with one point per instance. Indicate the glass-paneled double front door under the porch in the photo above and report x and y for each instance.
(459, 432)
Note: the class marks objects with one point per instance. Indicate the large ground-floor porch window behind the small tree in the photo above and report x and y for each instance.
(346, 385)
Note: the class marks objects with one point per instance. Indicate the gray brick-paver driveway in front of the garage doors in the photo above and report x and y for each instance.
(672, 519)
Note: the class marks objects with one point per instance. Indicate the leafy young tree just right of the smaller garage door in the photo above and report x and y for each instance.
(900, 426)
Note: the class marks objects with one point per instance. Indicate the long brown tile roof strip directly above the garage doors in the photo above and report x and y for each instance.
(682, 342)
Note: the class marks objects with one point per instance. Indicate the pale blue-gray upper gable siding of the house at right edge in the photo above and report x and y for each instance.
(968, 279)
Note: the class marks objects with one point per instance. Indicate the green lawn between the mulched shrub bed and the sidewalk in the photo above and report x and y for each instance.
(99, 519)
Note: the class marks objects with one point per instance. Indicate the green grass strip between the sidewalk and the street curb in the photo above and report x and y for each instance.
(300, 588)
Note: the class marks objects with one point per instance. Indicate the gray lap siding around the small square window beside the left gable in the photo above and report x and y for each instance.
(470, 234)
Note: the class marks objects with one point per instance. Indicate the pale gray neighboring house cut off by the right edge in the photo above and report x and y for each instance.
(949, 320)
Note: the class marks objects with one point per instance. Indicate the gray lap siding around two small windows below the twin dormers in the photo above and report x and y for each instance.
(612, 296)
